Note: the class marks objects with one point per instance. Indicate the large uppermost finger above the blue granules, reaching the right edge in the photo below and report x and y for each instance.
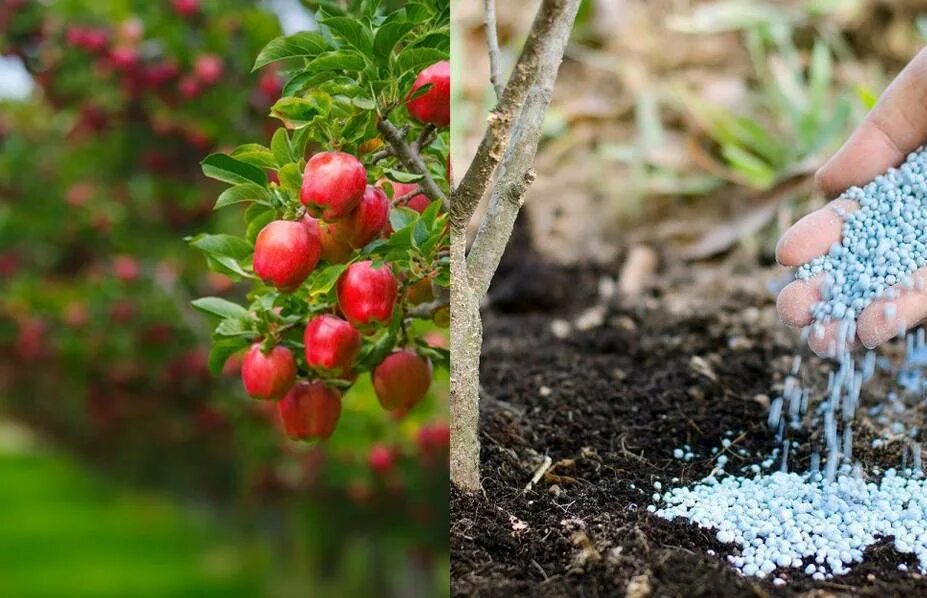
(896, 126)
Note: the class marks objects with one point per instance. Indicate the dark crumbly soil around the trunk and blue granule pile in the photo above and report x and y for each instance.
(608, 405)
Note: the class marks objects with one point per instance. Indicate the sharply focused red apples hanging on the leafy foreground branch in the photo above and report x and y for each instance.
(341, 214)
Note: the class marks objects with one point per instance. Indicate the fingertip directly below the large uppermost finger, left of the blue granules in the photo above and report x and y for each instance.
(813, 234)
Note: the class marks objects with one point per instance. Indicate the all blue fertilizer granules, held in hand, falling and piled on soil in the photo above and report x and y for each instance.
(821, 521)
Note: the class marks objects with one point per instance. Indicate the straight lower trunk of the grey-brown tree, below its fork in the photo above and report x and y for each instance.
(466, 343)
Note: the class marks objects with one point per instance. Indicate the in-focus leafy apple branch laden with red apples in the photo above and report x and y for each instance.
(344, 239)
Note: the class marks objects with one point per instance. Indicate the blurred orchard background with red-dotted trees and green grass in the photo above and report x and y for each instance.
(126, 468)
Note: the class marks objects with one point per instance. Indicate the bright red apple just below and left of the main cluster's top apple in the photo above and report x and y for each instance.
(285, 254)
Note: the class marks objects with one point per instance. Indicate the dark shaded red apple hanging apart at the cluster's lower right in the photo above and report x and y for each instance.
(402, 379)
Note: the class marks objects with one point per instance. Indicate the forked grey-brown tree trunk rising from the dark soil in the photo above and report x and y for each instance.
(519, 115)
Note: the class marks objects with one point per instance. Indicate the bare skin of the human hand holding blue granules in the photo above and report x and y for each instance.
(896, 126)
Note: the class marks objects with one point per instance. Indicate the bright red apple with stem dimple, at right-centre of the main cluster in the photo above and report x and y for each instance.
(366, 294)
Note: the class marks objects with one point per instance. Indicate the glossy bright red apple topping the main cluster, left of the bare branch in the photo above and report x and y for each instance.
(333, 184)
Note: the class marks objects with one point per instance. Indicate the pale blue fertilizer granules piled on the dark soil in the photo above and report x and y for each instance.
(786, 520)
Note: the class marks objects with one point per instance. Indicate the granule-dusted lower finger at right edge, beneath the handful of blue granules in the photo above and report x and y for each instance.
(884, 319)
